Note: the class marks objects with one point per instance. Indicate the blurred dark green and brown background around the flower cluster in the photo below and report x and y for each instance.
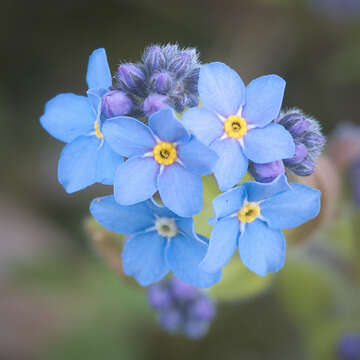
(58, 299)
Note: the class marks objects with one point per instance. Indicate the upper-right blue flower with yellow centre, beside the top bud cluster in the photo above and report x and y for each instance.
(237, 122)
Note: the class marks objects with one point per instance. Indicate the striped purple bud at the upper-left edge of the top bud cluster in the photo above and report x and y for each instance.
(131, 77)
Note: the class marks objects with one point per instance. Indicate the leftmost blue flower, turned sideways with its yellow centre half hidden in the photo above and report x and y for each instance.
(77, 121)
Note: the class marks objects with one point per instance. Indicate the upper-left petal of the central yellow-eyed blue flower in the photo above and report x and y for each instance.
(128, 136)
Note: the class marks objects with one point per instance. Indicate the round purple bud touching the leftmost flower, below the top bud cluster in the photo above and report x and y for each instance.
(116, 103)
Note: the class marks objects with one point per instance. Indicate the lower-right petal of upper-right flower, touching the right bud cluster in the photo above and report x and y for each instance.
(273, 142)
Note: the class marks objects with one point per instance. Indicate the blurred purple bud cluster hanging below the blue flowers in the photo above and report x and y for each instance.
(181, 308)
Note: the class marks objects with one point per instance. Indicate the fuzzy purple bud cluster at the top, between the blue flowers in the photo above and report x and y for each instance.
(167, 76)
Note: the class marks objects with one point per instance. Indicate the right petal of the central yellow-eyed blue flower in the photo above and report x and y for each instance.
(197, 157)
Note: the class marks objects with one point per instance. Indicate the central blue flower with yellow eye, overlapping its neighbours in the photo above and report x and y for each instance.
(162, 156)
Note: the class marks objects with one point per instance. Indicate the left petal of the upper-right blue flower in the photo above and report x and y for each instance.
(204, 124)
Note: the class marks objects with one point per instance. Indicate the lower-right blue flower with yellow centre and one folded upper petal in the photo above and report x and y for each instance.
(250, 217)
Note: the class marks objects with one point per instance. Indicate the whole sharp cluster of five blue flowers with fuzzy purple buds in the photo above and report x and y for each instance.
(129, 135)
